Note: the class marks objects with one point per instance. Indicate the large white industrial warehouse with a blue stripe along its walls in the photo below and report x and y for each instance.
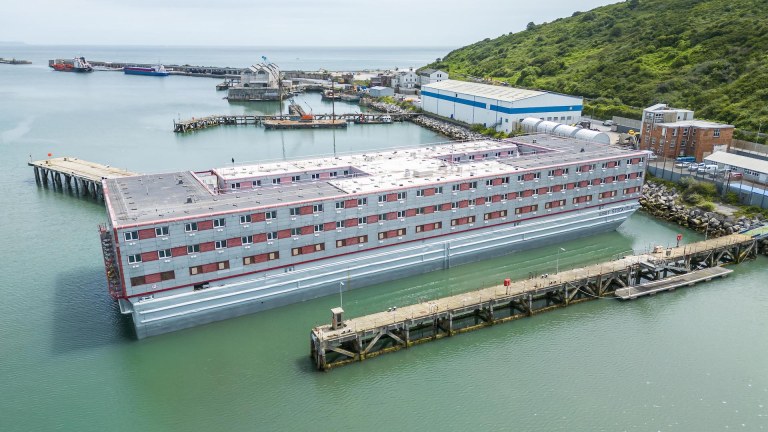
(500, 107)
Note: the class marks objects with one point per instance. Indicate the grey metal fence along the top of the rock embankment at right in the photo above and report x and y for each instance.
(749, 193)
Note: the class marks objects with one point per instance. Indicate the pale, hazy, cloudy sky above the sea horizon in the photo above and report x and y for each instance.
(447, 23)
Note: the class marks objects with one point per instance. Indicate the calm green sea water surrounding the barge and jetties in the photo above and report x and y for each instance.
(691, 360)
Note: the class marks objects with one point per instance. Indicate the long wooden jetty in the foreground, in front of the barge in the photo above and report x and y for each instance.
(346, 341)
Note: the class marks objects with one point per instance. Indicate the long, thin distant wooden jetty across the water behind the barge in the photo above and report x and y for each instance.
(199, 123)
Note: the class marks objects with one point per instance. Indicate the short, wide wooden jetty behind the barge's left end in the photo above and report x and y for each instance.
(77, 175)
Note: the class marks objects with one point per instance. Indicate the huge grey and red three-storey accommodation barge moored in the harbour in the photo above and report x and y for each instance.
(186, 248)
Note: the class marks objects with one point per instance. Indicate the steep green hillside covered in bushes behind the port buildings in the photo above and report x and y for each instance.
(708, 55)
